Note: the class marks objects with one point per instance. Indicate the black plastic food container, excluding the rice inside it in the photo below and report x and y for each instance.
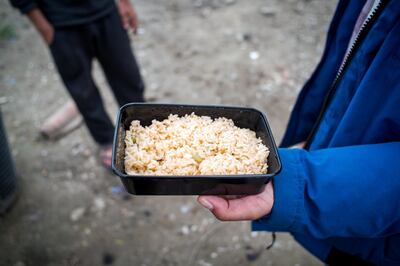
(200, 184)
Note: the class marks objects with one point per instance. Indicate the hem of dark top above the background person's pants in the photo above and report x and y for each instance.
(67, 12)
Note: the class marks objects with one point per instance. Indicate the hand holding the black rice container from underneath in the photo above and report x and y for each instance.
(240, 208)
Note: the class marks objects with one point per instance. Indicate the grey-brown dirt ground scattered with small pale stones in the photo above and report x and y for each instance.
(72, 212)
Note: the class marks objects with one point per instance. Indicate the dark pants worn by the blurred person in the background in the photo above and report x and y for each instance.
(74, 49)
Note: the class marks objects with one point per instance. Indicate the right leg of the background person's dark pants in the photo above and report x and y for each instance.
(116, 57)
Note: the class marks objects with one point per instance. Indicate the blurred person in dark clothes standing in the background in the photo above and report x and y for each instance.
(76, 33)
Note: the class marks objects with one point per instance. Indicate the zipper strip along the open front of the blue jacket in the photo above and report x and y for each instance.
(364, 29)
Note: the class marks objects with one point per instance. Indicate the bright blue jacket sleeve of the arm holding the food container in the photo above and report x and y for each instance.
(337, 192)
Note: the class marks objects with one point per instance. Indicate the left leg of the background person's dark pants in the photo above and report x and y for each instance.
(72, 52)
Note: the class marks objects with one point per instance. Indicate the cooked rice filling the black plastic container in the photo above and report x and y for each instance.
(193, 145)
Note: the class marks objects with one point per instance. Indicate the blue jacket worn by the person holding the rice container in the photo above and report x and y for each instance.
(343, 192)
